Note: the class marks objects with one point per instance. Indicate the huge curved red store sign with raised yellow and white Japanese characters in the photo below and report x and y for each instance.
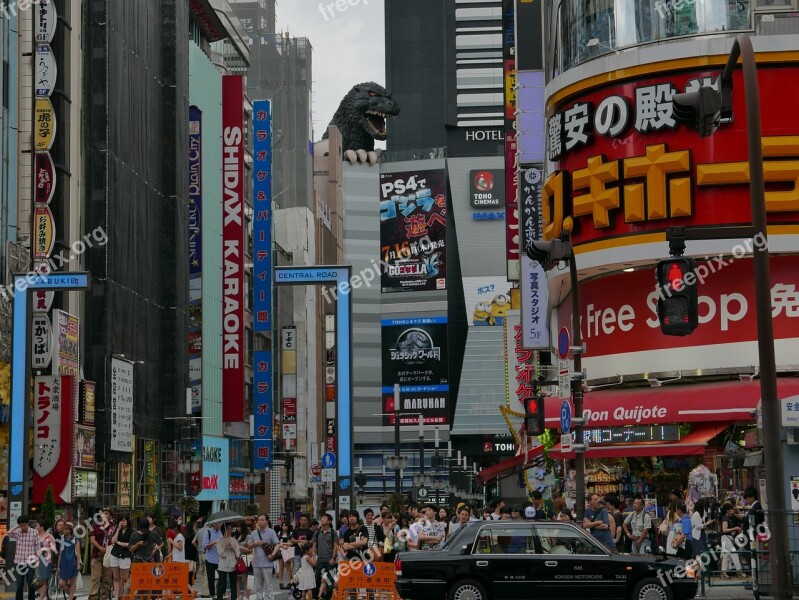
(626, 168)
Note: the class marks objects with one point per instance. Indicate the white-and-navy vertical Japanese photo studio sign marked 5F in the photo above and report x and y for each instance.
(533, 281)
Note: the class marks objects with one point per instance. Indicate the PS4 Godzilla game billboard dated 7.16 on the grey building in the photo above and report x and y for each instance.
(413, 230)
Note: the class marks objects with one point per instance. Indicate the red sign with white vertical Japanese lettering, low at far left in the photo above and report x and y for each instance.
(52, 461)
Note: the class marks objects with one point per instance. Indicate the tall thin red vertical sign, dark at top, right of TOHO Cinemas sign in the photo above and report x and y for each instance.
(511, 175)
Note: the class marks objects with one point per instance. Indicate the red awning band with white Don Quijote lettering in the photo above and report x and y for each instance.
(672, 403)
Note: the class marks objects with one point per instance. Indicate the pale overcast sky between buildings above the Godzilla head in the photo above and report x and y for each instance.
(348, 47)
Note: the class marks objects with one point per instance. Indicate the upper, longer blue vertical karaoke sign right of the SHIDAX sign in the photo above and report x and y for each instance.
(262, 217)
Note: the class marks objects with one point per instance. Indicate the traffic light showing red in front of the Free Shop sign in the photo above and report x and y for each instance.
(678, 296)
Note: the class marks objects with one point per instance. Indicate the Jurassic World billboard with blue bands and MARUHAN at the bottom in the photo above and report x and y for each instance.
(415, 356)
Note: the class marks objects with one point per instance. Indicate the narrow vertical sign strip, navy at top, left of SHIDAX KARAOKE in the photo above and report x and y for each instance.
(195, 257)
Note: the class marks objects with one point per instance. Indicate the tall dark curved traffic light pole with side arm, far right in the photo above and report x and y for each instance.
(781, 568)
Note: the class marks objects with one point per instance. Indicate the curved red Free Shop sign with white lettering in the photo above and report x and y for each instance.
(618, 312)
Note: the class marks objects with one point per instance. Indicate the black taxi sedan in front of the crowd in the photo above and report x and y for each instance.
(502, 560)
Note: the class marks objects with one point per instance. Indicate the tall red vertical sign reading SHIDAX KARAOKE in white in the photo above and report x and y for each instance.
(233, 247)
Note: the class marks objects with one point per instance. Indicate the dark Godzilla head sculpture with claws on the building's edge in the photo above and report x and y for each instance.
(361, 119)
